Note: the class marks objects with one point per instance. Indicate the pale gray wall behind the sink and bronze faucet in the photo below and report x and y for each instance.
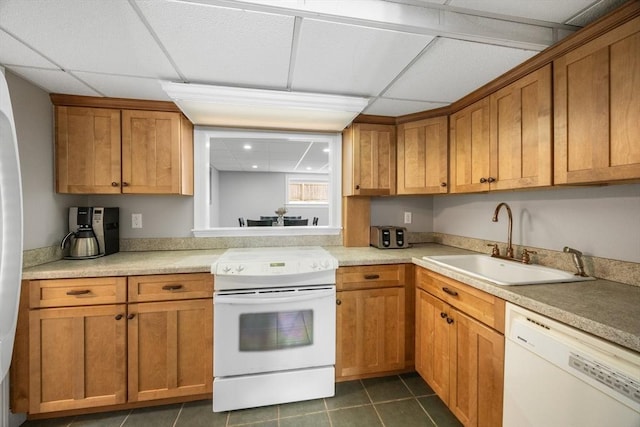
(599, 221)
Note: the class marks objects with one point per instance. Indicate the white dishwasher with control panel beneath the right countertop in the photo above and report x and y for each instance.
(557, 376)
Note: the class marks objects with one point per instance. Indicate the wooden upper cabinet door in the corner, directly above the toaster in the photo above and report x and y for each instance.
(423, 156)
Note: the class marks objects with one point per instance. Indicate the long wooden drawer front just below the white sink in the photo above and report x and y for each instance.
(480, 305)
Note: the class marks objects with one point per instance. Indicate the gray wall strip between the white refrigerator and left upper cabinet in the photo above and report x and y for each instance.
(45, 212)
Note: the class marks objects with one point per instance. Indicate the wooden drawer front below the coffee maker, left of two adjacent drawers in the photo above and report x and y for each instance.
(76, 292)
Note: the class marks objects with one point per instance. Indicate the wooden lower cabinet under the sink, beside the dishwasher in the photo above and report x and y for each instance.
(459, 355)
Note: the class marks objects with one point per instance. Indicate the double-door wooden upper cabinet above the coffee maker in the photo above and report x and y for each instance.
(113, 151)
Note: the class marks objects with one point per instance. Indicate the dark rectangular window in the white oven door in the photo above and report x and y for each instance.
(276, 331)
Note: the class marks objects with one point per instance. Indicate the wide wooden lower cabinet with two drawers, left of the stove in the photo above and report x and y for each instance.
(90, 346)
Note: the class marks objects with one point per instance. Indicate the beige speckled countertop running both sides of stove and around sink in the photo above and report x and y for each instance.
(606, 309)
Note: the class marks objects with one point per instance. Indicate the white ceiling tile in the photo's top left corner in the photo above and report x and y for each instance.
(98, 36)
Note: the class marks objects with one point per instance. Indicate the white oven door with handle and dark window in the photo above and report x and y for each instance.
(270, 330)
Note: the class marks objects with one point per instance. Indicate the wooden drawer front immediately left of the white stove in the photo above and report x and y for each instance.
(165, 287)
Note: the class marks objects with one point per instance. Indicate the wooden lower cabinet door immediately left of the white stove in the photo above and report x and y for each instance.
(170, 349)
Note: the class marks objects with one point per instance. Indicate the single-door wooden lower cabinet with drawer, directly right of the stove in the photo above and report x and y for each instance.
(374, 316)
